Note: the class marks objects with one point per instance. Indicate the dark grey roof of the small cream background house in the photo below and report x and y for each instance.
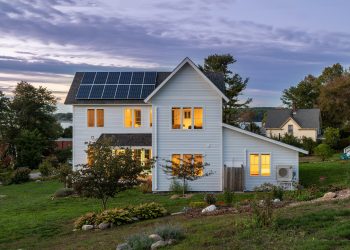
(306, 118)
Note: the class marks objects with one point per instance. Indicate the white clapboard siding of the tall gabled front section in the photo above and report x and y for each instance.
(188, 89)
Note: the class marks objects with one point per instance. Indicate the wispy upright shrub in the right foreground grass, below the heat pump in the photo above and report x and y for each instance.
(263, 212)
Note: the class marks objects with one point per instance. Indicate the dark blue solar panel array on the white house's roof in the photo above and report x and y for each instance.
(116, 85)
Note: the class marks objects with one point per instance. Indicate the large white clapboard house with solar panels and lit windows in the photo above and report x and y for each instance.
(170, 115)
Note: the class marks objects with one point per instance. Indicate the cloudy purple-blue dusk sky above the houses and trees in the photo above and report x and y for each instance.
(276, 43)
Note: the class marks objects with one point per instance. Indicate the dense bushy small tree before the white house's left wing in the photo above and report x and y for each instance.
(107, 173)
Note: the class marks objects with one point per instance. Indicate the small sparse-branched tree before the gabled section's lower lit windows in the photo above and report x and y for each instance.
(189, 169)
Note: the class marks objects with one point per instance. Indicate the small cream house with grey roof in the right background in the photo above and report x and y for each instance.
(299, 123)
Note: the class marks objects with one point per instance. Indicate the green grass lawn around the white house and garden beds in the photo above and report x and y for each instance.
(31, 219)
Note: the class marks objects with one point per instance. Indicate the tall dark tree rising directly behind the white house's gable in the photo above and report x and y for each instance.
(234, 84)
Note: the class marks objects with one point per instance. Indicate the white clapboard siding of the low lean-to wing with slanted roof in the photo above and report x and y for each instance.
(237, 147)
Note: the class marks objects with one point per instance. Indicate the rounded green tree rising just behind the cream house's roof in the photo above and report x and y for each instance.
(304, 95)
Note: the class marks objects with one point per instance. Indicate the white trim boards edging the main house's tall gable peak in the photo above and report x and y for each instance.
(186, 60)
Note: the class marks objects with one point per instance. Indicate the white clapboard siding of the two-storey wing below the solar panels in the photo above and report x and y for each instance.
(113, 123)
